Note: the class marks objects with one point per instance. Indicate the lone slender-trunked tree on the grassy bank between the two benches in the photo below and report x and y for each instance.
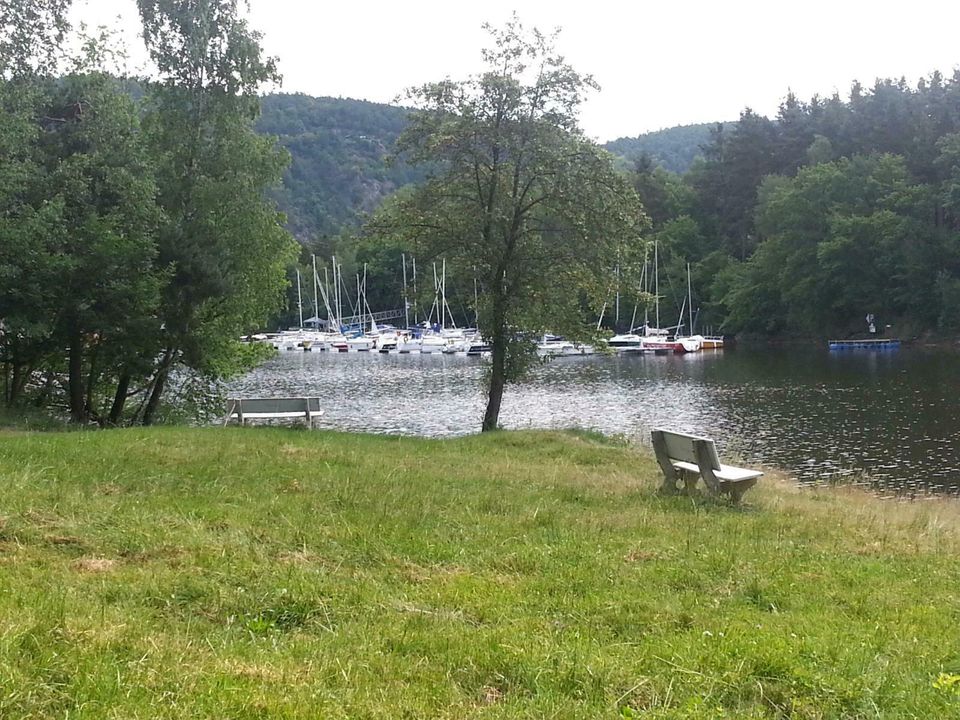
(518, 198)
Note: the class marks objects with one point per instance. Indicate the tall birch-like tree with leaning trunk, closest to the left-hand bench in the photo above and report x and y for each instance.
(221, 237)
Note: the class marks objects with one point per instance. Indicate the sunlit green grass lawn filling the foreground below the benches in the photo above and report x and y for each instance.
(277, 573)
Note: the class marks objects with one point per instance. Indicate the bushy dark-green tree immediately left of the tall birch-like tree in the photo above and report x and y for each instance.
(108, 286)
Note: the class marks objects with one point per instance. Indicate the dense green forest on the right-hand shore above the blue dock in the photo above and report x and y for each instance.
(803, 224)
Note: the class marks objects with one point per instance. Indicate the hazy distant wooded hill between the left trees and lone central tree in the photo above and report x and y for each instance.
(337, 170)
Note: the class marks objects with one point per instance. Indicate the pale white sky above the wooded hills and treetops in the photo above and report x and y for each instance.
(659, 64)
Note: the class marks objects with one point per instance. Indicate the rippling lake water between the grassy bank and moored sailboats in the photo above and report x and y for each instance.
(889, 419)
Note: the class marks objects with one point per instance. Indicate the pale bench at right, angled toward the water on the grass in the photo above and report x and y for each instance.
(688, 458)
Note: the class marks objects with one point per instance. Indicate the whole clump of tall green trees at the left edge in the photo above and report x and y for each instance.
(136, 241)
